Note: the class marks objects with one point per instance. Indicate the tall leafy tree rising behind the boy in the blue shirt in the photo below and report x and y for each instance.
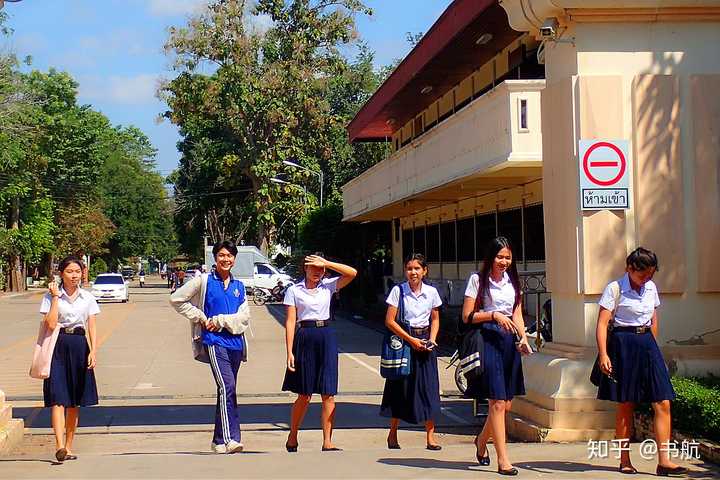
(264, 103)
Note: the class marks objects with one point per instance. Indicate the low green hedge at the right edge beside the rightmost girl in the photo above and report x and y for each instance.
(696, 410)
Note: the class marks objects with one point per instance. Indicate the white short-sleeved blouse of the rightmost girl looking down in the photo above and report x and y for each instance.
(634, 309)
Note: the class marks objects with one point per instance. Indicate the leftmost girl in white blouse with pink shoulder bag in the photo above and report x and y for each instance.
(71, 383)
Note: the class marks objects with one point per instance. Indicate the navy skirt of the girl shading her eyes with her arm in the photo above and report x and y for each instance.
(316, 360)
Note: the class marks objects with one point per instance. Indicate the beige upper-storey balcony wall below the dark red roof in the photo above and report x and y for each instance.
(481, 137)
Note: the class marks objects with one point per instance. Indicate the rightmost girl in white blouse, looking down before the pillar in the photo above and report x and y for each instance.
(633, 365)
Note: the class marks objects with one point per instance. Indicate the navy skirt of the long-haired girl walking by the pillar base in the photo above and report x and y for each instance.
(502, 377)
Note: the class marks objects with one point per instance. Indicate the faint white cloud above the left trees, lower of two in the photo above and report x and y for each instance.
(121, 90)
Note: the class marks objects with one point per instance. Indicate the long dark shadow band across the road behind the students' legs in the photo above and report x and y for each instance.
(348, 415)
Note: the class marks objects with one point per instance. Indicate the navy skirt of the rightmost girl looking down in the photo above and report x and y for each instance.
(639, 369)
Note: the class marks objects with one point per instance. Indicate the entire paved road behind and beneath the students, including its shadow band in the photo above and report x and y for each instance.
(157, 405)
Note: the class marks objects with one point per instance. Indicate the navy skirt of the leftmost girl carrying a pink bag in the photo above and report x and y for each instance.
(70, 384)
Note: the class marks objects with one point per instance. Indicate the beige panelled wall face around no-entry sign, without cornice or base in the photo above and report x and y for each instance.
(654, 84)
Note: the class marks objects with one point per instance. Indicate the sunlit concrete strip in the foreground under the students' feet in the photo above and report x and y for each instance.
(186, 455)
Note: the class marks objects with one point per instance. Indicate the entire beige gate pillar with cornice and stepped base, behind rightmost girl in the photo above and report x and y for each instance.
(650, 76)
